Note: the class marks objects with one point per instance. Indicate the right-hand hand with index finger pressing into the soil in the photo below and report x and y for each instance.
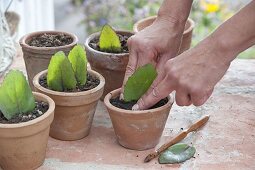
(193, 75)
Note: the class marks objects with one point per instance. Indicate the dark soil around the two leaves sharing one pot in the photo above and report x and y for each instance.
(91, 83)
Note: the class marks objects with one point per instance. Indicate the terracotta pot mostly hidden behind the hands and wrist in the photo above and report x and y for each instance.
(187, 34)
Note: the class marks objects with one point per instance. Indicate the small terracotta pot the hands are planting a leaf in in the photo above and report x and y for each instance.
(138, 130)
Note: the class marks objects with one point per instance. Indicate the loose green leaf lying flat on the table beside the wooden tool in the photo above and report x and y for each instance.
(177, 153)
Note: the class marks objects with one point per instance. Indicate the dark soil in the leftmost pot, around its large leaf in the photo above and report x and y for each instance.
(40, 108)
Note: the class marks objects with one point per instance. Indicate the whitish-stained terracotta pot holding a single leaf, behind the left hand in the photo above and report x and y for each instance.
(111, 66)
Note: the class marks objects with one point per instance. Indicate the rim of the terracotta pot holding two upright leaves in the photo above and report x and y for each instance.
(69, 94)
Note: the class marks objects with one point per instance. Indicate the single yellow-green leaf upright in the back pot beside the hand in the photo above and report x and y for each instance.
(109, 40)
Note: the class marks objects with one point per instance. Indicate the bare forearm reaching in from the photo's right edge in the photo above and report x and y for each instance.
(236, 34)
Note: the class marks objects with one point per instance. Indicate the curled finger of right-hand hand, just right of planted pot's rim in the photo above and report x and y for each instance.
(182, 98)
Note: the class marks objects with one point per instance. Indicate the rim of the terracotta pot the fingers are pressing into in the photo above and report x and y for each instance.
(131, 112)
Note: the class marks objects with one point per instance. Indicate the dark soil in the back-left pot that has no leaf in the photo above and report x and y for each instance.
(50, 40)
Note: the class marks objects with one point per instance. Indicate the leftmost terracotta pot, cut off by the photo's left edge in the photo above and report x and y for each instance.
(23, 145)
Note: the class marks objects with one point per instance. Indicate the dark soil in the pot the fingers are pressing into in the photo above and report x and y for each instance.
(128, 105)
